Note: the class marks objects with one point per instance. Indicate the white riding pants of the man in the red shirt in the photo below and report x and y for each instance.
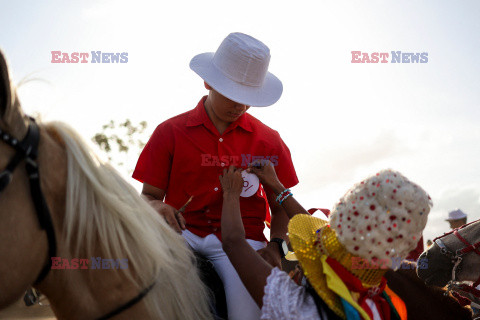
(240, 304)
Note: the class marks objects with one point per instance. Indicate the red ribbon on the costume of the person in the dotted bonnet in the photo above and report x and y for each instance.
(354, 284)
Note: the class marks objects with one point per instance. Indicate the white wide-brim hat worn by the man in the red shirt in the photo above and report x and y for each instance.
(238, 70)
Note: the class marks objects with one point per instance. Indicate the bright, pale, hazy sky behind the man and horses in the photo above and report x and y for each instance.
(341, 120)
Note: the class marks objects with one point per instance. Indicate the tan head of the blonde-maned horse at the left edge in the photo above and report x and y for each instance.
(24, 245)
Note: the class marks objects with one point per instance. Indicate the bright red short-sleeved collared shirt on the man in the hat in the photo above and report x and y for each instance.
(186, 154)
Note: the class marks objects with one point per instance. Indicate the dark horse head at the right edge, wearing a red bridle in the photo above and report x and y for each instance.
(446, 255)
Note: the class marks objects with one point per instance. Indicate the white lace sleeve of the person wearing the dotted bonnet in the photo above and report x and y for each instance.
(285, 300)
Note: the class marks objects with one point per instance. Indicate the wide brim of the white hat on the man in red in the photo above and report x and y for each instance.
(263, 96)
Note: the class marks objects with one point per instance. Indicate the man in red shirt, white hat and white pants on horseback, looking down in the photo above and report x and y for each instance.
(186, 155)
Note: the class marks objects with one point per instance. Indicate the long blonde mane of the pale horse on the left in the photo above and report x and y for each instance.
(104, 212)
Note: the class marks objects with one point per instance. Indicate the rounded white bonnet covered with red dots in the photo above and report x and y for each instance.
(381, 217)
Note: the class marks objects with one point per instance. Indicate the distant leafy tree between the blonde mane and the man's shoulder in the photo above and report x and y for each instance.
(121, 140)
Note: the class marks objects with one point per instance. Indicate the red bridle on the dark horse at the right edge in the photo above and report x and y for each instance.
(456, 259)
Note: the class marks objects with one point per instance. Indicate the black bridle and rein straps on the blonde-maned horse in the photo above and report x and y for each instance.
(27, 149)
